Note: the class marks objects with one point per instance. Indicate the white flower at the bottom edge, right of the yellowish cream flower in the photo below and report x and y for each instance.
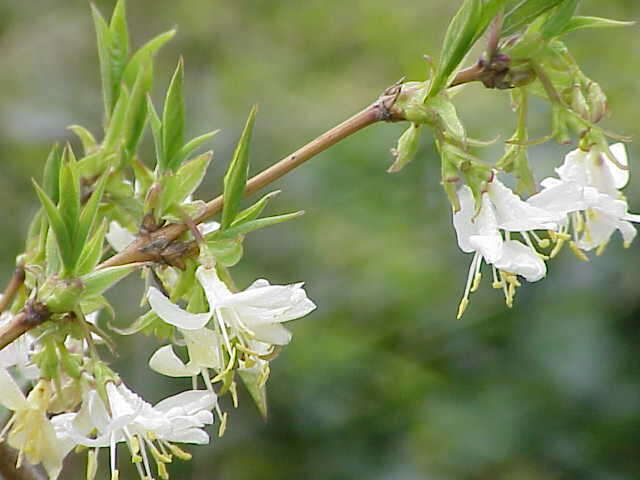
(149, 431)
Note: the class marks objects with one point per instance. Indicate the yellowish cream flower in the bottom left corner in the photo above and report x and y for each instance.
(29, 430)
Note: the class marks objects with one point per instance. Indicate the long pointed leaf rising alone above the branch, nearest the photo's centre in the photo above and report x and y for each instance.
(236, 177)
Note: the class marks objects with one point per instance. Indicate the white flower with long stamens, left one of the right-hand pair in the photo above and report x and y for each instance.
(480, 231)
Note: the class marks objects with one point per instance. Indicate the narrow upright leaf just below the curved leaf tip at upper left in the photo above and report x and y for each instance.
(137, 109)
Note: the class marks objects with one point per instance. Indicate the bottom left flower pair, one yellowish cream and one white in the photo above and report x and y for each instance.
(149, 431)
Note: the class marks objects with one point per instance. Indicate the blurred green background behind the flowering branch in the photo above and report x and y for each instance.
(381, 382)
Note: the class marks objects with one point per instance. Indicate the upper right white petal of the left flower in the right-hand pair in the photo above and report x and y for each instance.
(515, 215)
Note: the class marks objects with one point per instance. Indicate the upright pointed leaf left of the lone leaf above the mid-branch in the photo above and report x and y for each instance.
(173, 119)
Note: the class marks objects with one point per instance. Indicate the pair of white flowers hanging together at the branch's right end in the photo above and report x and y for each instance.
(585, 200)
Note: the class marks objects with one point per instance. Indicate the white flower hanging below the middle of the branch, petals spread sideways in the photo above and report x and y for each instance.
(255, 314)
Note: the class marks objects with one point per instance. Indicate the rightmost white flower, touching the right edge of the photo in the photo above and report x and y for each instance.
(587, 195)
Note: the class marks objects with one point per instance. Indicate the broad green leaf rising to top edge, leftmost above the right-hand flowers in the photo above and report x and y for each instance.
(458, 40)
